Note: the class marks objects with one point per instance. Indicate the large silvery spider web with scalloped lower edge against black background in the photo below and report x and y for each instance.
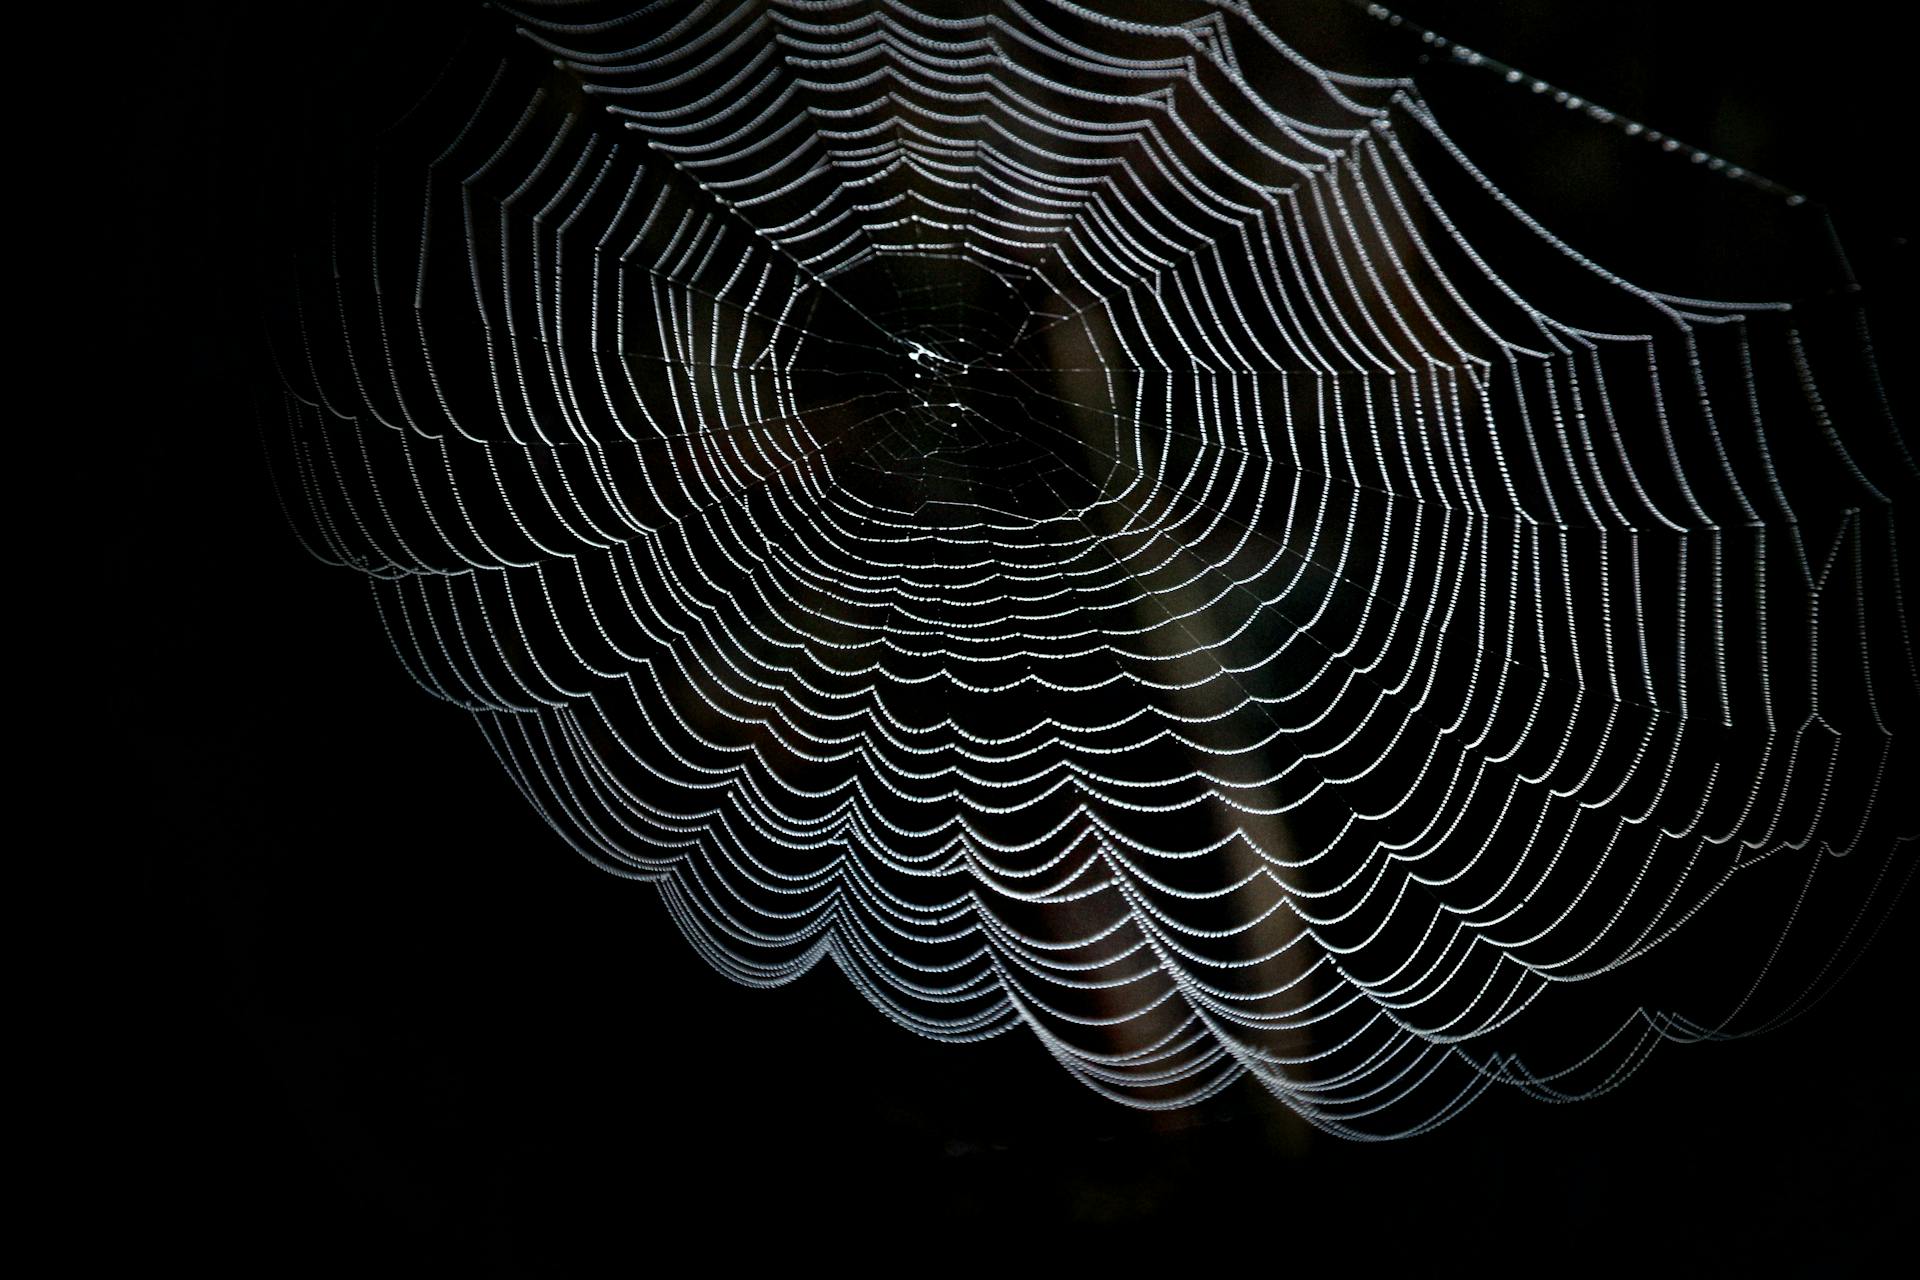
(1092, 523)
